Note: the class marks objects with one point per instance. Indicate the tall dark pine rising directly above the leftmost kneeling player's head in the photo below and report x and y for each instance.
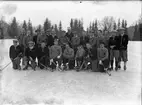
(13, 28)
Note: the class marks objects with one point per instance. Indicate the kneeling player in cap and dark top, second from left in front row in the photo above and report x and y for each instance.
(30, 56)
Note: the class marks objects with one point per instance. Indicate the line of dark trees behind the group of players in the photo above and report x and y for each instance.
(107, 24)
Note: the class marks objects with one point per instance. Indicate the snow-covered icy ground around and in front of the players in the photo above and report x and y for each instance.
(70, 87)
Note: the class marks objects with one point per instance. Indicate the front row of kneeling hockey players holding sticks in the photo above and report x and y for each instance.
(61, 57)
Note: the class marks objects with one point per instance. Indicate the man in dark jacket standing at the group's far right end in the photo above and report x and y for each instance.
(123, 47)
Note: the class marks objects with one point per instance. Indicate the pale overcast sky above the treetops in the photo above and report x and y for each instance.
(37, 11)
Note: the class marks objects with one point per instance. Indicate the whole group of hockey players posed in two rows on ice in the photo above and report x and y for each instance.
(70, 50)
